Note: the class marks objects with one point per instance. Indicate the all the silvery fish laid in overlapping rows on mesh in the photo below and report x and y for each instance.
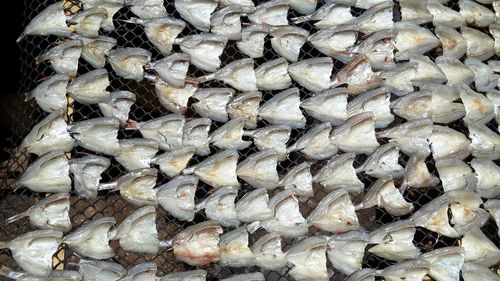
(387, 76)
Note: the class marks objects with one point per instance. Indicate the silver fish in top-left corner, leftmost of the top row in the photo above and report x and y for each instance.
(50, 21)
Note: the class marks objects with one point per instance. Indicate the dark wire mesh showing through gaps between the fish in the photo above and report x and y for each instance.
(13, 201)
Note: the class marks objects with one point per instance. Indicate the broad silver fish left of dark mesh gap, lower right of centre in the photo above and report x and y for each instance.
(335, 213)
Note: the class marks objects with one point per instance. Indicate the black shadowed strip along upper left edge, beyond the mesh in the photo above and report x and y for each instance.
(11, 73)
